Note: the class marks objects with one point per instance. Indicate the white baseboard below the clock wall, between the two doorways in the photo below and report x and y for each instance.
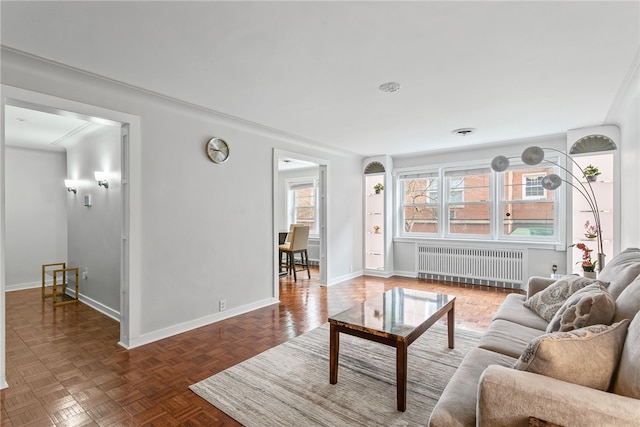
(197, 323)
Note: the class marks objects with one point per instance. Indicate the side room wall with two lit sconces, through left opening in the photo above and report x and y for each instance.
(94, 233)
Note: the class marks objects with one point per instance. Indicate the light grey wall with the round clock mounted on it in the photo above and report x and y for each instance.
(200, 220)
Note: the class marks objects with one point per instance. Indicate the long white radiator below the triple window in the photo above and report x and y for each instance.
(505, 268)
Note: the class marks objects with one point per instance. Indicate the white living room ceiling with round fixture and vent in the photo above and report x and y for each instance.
(510, 69)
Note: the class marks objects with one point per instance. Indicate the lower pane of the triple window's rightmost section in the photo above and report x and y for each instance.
(528, 219)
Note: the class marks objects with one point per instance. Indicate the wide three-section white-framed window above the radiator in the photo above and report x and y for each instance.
(477, 203)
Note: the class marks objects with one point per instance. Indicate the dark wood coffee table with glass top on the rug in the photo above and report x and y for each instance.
(396, 318)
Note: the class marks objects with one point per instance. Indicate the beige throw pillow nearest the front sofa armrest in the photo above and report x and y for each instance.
(587, 356)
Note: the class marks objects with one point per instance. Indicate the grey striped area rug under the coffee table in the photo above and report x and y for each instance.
(288, 385)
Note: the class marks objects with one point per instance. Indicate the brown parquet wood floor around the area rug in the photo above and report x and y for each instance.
(65, 368)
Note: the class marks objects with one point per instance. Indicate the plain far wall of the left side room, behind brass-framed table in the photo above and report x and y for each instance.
(36, 214)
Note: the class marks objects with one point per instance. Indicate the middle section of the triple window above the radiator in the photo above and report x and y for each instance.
(468, 202)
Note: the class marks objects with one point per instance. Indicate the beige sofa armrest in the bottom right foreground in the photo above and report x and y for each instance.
(508, 397)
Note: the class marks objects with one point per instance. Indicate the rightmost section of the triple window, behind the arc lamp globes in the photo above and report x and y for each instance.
(527, 209)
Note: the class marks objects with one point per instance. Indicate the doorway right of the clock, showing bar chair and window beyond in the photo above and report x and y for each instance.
(290, 171)
